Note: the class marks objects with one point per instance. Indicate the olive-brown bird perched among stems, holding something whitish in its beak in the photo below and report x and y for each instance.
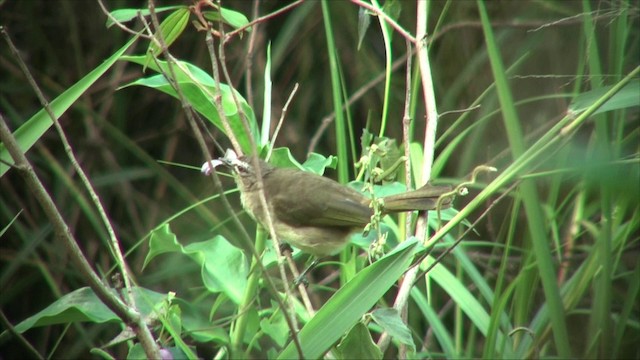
(312, 212)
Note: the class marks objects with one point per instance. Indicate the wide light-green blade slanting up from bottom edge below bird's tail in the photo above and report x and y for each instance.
(347, 305)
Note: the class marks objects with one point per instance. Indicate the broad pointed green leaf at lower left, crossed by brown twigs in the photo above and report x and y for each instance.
(83, 305)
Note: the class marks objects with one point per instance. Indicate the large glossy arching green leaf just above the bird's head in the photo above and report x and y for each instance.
(199, 90)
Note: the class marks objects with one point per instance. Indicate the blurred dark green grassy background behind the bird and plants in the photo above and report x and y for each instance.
(587, 189)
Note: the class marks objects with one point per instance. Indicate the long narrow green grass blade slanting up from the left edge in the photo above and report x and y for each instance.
(28, 133)
